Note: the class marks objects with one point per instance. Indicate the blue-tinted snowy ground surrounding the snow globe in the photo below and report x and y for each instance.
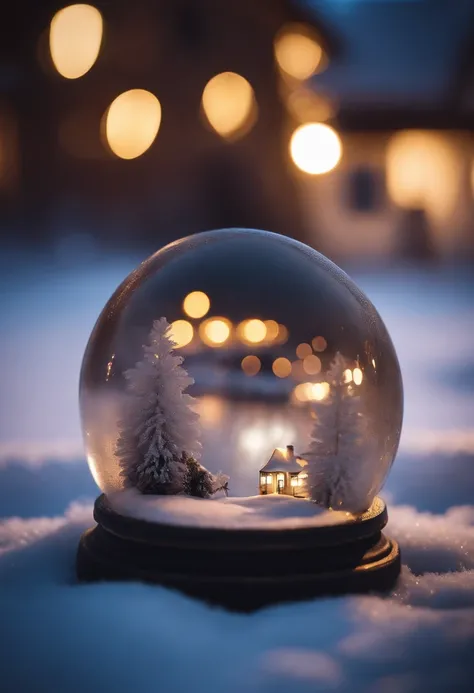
(58, 636)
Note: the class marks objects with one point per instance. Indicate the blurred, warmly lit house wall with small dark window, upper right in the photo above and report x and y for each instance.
(429, 170)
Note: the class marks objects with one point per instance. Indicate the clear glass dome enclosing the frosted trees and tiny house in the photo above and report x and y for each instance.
(297, 386)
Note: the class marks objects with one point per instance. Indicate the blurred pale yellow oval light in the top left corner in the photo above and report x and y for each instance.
(75, 35)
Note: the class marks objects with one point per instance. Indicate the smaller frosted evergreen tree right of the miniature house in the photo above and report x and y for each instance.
(336, 476)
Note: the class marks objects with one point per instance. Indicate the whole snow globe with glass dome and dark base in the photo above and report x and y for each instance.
(241, 404)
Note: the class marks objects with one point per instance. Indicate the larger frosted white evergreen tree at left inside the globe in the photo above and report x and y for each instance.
(159, 433)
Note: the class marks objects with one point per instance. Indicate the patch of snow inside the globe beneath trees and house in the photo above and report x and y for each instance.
(252, 512)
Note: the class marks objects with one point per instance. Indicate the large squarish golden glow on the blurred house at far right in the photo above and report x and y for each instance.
(423, 171)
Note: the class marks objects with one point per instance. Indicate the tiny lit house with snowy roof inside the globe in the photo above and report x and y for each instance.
(284, 473)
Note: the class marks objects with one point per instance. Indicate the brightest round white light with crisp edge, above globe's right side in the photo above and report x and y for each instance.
(315, 148)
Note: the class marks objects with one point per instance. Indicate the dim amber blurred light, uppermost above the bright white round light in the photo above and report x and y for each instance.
(296, 52)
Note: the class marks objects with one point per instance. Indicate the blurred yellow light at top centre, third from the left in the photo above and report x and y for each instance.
(228, 103)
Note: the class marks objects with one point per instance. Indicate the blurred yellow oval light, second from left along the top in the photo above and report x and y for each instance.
(132, 123)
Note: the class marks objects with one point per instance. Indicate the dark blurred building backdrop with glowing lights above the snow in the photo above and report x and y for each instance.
(348, 125)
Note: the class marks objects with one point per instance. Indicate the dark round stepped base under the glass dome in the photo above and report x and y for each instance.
(242, 569)
